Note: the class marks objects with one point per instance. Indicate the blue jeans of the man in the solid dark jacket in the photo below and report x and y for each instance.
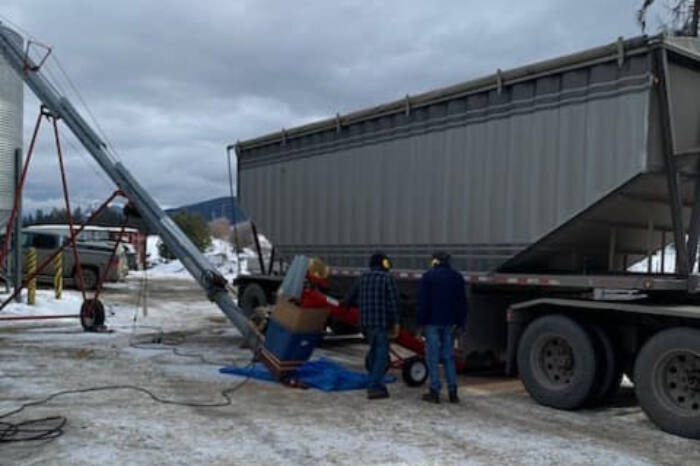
(440, 347)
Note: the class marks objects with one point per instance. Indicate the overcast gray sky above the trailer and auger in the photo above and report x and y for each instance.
(172, 82)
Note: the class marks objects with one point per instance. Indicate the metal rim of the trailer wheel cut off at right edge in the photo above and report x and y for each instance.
(678, 380)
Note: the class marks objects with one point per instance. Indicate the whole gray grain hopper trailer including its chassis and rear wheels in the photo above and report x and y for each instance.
(546, 183)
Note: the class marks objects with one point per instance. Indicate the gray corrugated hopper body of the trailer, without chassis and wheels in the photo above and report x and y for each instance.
(555, 166)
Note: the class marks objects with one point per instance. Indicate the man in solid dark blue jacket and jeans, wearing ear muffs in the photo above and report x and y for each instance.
(442, 309)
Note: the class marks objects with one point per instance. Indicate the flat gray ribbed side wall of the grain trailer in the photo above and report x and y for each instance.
(483, 174)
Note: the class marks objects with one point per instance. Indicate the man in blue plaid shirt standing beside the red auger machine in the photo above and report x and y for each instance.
(377, 296)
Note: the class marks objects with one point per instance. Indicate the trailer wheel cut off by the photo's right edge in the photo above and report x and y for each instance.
(667, 381)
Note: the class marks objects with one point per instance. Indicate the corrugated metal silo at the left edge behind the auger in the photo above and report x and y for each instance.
(11, 106)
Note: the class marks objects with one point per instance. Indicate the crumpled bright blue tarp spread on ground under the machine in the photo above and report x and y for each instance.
(323, 373)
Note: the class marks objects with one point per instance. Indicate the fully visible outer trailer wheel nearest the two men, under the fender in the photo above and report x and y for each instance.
(557, 362)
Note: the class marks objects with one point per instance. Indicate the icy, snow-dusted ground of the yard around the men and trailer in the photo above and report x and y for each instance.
(174, 347)
